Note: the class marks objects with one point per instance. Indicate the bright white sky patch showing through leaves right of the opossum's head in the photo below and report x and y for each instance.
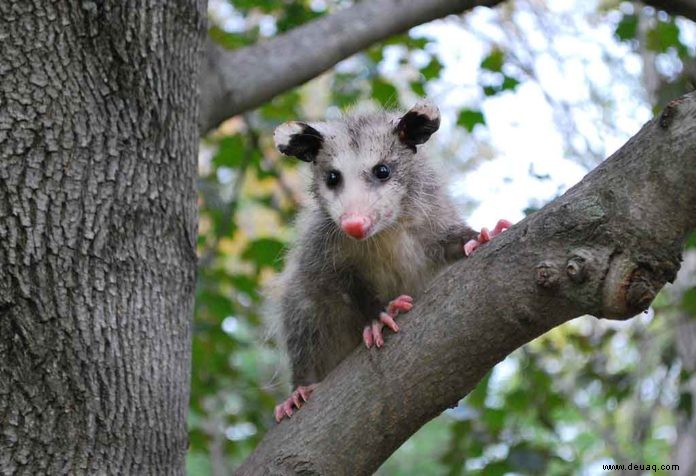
(521, 125)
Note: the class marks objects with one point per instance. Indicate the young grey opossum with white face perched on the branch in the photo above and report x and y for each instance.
(379, 227)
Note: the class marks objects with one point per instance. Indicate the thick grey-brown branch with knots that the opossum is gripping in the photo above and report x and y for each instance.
(604, 248)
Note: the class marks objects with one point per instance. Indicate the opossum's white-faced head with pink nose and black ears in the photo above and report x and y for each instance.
(364, 166)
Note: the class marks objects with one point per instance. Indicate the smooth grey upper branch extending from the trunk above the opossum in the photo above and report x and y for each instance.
(236, 81)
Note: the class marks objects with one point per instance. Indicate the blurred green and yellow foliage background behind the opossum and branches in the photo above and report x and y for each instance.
(588, 393)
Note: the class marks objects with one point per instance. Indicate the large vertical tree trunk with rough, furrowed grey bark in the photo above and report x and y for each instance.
(98, 142)
